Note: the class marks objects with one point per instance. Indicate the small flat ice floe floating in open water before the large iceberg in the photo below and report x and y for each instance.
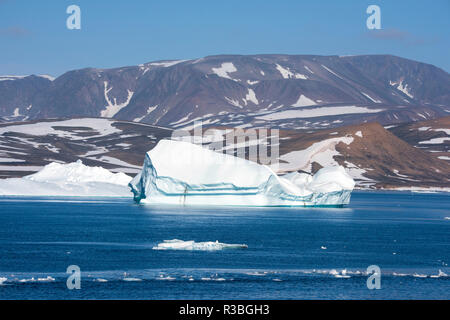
(176, 244)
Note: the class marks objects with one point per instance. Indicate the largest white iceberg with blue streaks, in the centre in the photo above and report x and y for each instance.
(182, 173)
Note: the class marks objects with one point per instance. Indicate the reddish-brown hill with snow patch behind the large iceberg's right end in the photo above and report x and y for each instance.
(375, 156)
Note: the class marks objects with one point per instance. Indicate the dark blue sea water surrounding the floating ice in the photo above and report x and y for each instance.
(293, 253)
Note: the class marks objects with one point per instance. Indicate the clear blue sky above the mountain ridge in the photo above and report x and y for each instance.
(34, 37)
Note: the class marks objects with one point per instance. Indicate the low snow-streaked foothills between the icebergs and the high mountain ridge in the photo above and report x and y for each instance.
(372, 155)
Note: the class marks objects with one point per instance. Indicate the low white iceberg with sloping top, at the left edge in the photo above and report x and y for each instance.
(70, 180)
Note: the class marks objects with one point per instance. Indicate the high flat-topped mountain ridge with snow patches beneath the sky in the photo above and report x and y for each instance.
(238, 90)
